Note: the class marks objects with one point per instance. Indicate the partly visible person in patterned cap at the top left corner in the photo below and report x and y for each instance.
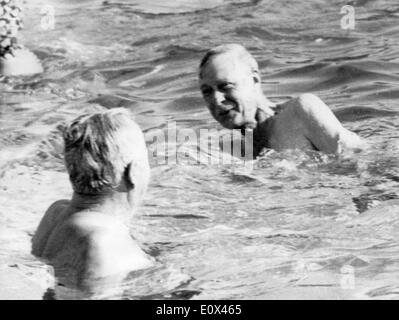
(15, 60)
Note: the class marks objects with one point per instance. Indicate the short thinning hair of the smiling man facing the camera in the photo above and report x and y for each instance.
(236, 50)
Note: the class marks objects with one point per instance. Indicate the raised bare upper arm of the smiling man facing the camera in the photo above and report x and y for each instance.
(322, 128)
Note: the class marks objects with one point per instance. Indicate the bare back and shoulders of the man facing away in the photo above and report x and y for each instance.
(86, 246)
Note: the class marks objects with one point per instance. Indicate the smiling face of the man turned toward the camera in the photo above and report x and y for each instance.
(229, 89)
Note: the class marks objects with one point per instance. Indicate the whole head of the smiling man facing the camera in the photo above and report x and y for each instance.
(230, 84)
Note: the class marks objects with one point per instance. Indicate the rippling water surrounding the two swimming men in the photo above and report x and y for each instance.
(289, 227)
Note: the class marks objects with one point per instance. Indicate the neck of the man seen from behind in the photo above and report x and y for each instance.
(110, 203)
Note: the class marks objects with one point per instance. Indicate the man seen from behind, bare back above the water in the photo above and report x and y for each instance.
(87, 238)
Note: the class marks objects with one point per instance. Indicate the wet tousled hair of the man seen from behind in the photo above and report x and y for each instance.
(99, 148)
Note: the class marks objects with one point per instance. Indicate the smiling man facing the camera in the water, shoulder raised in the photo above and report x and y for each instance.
(231, 87)
